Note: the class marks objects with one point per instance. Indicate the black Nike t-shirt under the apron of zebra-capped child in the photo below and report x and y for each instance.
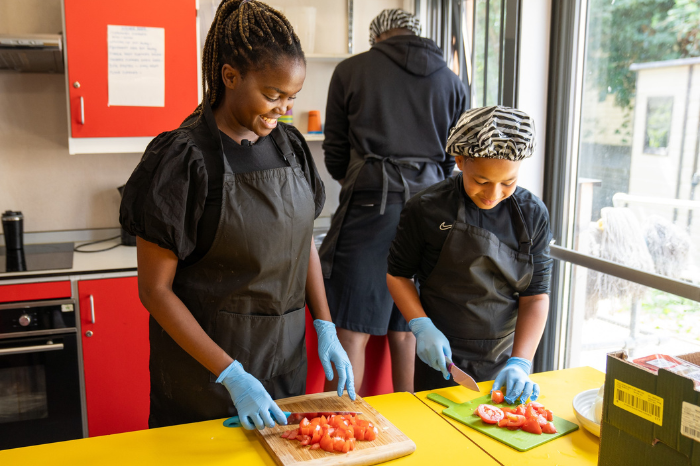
(419, 237)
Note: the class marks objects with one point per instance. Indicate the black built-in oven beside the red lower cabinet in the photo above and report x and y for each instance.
(40, 389)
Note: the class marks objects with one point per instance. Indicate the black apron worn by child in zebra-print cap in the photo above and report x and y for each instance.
(472, 297)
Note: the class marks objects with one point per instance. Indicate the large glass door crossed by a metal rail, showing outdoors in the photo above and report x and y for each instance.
(632, 188)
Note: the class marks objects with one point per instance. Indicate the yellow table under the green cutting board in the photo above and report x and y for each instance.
(557, 389)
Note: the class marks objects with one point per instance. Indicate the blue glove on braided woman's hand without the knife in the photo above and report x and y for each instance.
(330, 350)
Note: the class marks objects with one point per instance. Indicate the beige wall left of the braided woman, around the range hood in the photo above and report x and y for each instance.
(54, 190)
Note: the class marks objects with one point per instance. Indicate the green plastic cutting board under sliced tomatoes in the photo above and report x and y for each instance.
(518, 439)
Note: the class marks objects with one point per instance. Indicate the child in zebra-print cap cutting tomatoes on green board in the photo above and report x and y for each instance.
(478, 246)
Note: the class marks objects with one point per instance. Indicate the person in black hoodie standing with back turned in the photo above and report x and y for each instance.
(388, 116)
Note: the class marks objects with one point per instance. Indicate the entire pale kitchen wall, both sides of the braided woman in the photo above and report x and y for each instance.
(58, 191)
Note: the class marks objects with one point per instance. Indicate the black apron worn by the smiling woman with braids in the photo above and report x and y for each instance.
(247, 292)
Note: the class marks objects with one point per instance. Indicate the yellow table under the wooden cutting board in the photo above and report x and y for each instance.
(209, 443)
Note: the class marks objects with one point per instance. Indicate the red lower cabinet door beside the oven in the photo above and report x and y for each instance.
(115, 355)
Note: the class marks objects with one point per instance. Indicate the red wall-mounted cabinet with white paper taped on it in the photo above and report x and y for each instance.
(131, 71)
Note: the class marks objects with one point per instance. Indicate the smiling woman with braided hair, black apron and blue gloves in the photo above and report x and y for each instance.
(223, 210)
